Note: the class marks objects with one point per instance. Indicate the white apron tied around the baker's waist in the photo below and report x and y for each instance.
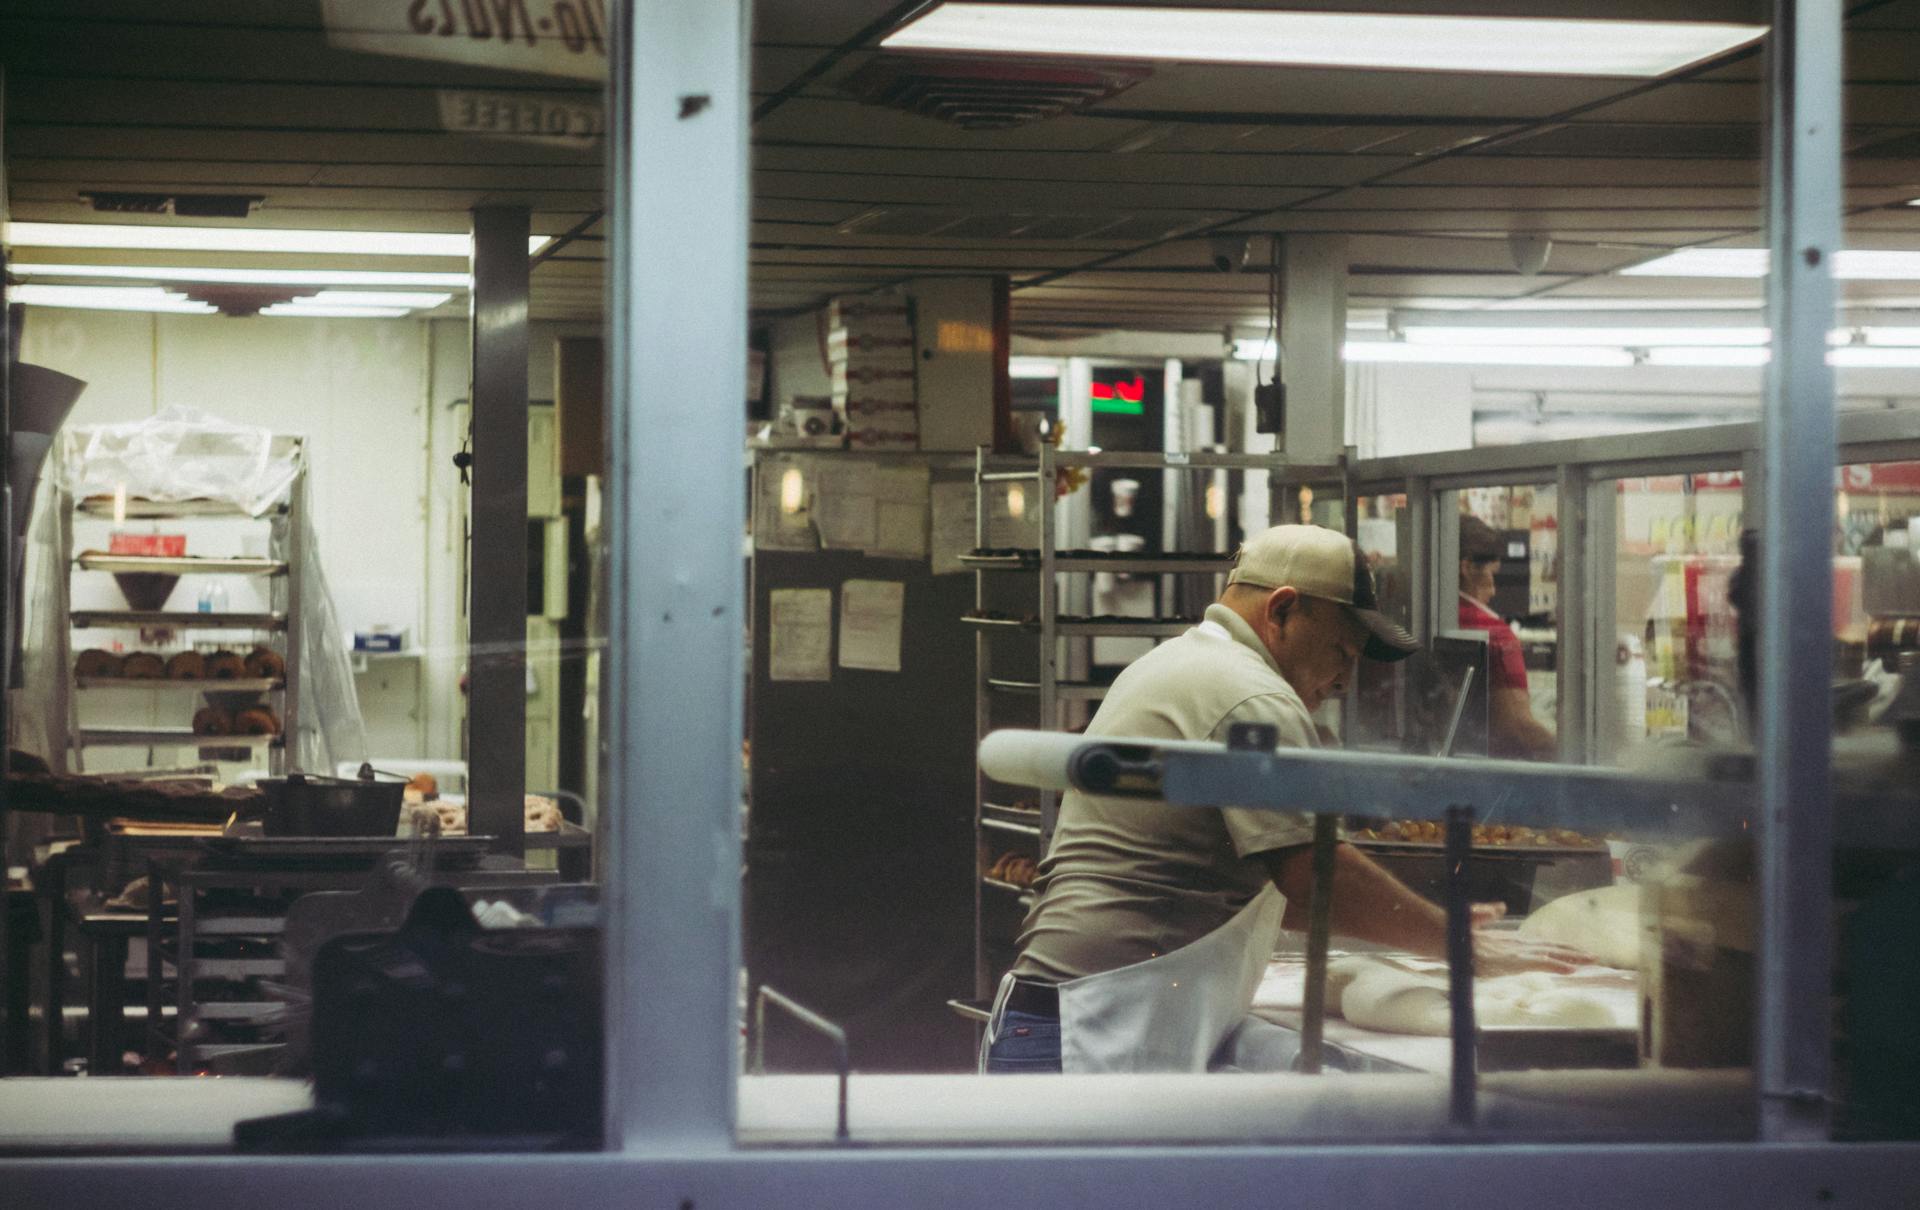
(1168, 1013)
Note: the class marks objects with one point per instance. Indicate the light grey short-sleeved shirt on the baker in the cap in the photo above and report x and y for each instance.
(1128, 881)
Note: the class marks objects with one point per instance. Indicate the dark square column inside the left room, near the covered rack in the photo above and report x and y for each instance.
(496, 612)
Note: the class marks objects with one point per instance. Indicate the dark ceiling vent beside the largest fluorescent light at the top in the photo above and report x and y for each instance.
(988, 95)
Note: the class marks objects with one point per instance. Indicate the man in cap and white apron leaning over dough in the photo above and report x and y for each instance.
(1155, 923)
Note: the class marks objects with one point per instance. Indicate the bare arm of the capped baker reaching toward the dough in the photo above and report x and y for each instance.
(1374, 906)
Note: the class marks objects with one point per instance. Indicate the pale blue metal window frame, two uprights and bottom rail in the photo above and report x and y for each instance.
(681, 105)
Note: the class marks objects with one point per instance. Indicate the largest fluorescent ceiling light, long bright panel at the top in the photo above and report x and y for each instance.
(1391, 41)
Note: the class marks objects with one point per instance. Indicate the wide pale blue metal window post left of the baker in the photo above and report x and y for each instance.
(677, 379)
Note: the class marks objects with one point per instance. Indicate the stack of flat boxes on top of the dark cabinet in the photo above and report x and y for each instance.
(871, 358)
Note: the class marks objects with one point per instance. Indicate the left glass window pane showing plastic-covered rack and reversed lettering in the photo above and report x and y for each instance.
(314, 577)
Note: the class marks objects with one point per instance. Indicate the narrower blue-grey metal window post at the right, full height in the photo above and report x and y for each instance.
(1796, 573)
